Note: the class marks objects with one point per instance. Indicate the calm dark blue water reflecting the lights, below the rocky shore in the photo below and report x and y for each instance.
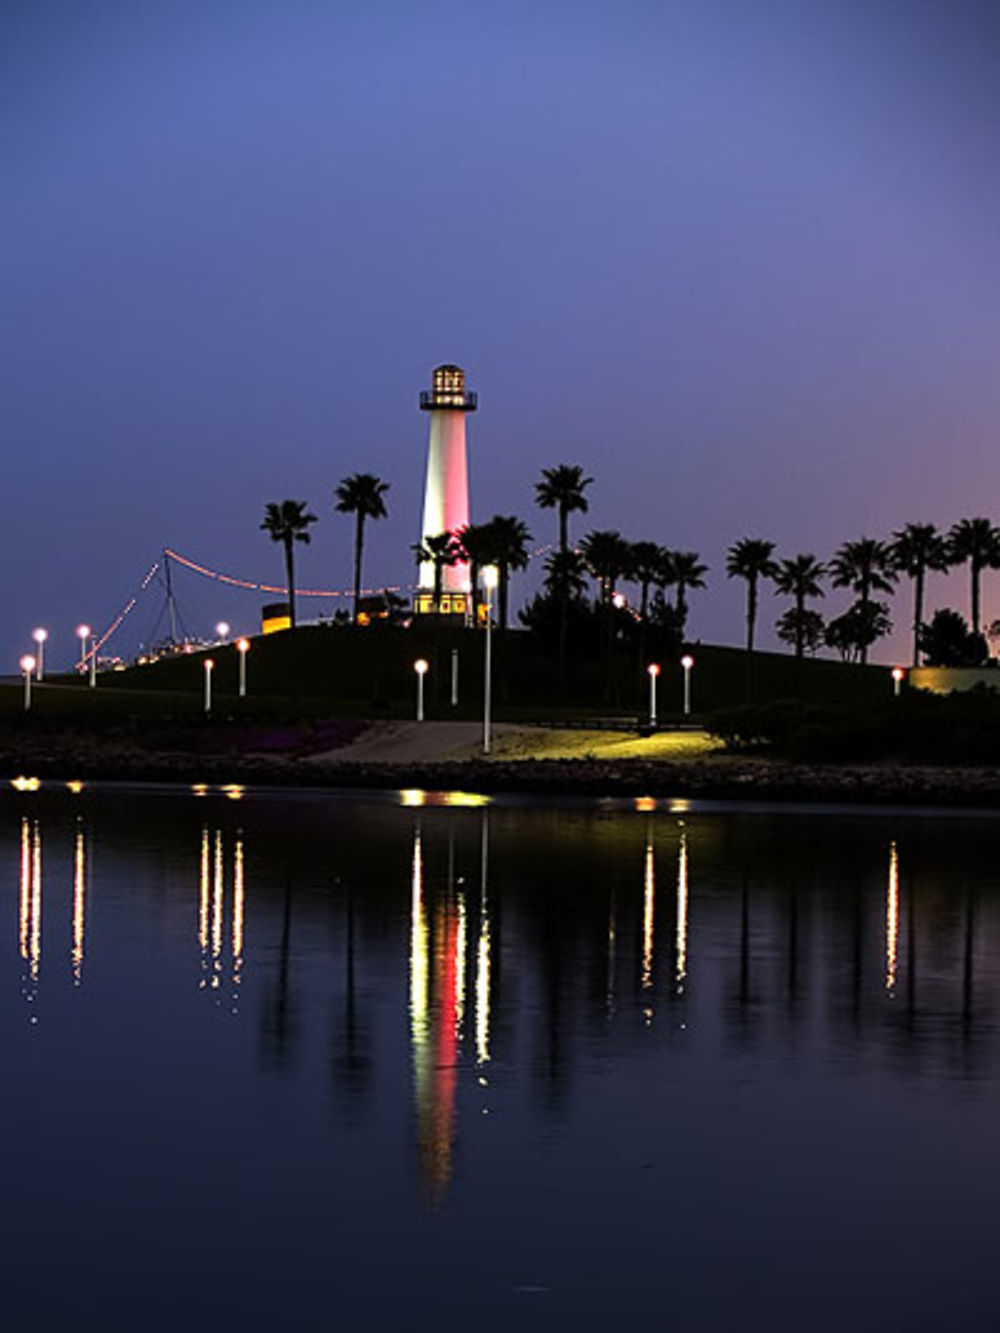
(362, 1063)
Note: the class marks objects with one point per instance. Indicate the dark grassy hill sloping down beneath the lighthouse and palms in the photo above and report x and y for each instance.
(346, 672)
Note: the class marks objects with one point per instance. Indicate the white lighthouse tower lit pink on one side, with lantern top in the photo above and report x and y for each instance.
(447, 485)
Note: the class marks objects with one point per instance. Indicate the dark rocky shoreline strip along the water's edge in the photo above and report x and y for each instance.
(713, 779)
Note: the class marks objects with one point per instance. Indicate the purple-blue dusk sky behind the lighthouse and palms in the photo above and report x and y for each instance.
(739, 261)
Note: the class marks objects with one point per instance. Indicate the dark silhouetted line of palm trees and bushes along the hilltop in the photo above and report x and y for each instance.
(655, 618)
